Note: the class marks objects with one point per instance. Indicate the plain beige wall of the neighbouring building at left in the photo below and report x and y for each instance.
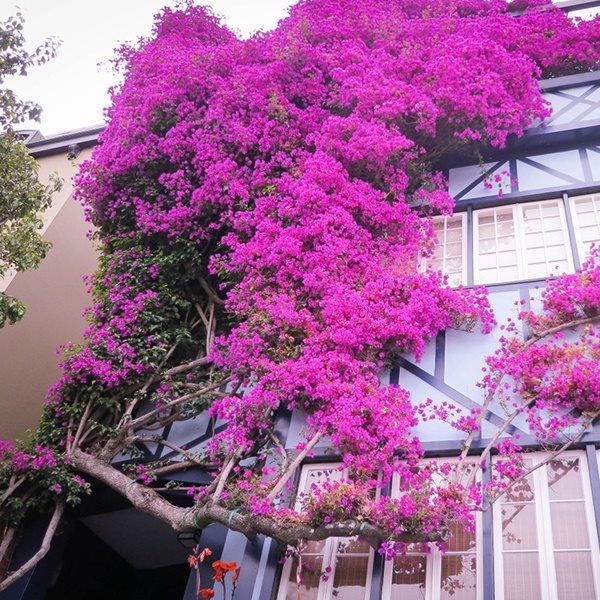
(55, 298)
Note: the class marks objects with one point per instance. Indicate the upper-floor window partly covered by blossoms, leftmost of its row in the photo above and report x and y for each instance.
(451, 250)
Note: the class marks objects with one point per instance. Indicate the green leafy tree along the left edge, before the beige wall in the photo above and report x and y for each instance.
(22, 197)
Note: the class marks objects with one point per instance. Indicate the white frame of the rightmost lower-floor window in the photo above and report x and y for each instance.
(545, 550)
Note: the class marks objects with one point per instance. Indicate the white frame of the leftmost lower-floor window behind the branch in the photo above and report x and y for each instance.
(325, 591)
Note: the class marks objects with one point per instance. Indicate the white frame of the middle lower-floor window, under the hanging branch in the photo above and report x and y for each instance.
(433, 569)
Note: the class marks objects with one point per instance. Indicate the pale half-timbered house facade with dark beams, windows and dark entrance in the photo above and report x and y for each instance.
(524, 214)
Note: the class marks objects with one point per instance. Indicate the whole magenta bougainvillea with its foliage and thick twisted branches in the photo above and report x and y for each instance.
(262, 206)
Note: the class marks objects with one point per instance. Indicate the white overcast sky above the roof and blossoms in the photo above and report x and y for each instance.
(72, 88)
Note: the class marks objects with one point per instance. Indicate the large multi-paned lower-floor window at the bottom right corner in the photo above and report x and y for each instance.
(546, 547)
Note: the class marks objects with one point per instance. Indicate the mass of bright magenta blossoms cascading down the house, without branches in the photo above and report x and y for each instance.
(296, 170)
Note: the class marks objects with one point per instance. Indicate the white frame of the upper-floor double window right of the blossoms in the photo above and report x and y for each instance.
(517, 213)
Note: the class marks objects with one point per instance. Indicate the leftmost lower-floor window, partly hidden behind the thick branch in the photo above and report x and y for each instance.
(350, 559)
